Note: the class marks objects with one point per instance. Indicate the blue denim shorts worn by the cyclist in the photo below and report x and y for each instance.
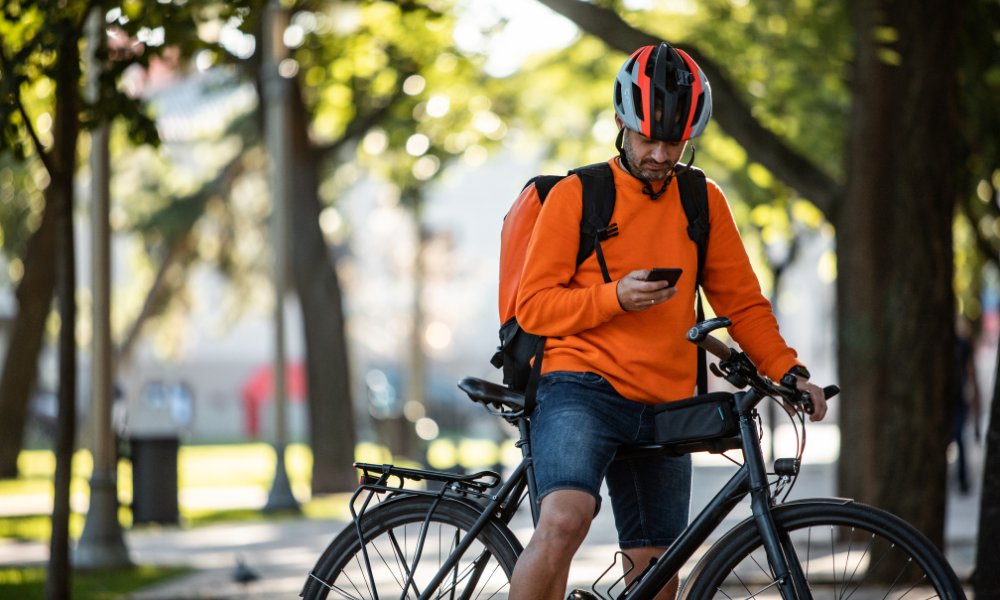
(577, 427)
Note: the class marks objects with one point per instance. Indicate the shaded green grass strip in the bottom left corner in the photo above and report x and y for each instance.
(29, 583)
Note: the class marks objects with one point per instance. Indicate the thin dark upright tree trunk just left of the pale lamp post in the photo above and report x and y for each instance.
(65, 132)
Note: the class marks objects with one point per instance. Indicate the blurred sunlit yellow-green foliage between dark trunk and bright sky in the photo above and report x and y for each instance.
(359, 59)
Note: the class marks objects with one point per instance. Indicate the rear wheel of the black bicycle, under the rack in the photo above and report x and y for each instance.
(342, 569)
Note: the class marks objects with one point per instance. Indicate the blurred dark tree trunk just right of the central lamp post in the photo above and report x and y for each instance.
(331, 412)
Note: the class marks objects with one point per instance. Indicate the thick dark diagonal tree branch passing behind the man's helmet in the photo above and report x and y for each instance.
(728, 108)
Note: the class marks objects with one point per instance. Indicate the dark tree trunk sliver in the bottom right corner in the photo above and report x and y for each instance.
(986, 579)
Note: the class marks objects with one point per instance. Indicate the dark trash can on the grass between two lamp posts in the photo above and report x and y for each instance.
(154, 480)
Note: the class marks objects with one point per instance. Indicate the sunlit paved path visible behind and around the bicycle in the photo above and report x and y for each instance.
(283, 551)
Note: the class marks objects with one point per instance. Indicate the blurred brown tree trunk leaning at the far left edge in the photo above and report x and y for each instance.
(34, 300)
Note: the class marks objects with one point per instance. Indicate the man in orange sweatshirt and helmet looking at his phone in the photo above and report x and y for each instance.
(615, 349)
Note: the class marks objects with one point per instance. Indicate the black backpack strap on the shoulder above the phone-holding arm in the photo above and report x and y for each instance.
(598, 182)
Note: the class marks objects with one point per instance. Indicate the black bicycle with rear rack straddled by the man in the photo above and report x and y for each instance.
(795, 550)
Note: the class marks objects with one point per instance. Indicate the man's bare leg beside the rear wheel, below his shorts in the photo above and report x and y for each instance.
(542, 570)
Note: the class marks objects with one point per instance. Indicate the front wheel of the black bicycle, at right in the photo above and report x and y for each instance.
(890, 559)
